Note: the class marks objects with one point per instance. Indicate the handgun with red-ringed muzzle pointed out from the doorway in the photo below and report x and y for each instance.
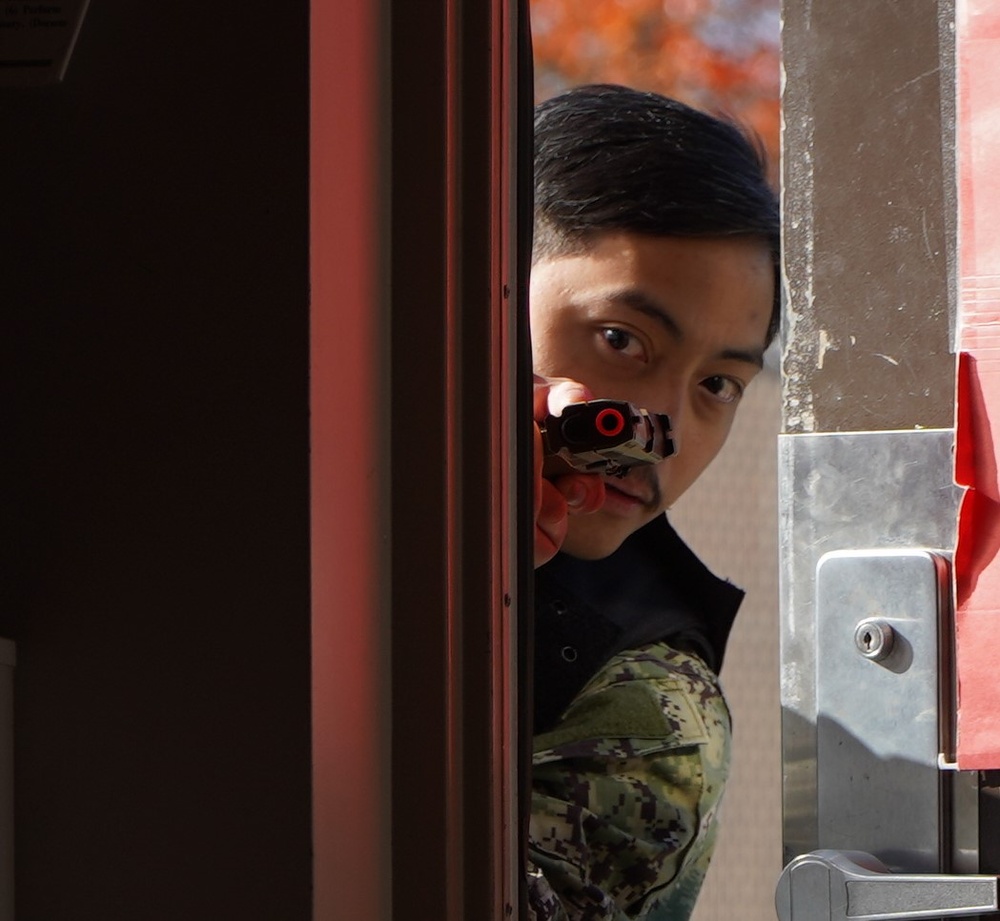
(607, 436)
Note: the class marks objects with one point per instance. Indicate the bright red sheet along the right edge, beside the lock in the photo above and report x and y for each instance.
(977, 557)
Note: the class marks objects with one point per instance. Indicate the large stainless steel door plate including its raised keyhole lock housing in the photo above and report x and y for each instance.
(848, 709)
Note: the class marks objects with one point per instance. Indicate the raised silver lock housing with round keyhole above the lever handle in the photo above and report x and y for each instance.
(879, 705)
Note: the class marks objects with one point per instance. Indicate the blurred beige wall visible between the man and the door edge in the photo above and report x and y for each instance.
(730, 518)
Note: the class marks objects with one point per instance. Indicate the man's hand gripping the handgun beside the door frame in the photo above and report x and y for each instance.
(569, 494)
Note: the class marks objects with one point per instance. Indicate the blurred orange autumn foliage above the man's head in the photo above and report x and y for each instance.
(717, 55)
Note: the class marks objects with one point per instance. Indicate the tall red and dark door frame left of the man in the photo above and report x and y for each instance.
(414, 601)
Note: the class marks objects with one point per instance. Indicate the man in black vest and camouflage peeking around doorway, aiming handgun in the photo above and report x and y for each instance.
(654, 281)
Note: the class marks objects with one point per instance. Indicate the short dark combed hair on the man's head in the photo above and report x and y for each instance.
(609, 158)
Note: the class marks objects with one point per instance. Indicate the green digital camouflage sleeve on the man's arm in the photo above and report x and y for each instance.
(625, 792)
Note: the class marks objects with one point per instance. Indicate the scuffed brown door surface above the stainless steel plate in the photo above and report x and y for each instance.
(869, 215)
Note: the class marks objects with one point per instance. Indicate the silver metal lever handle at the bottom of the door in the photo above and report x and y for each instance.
(854, 886)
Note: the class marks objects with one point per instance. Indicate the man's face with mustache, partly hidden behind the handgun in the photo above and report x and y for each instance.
(672, 324)
